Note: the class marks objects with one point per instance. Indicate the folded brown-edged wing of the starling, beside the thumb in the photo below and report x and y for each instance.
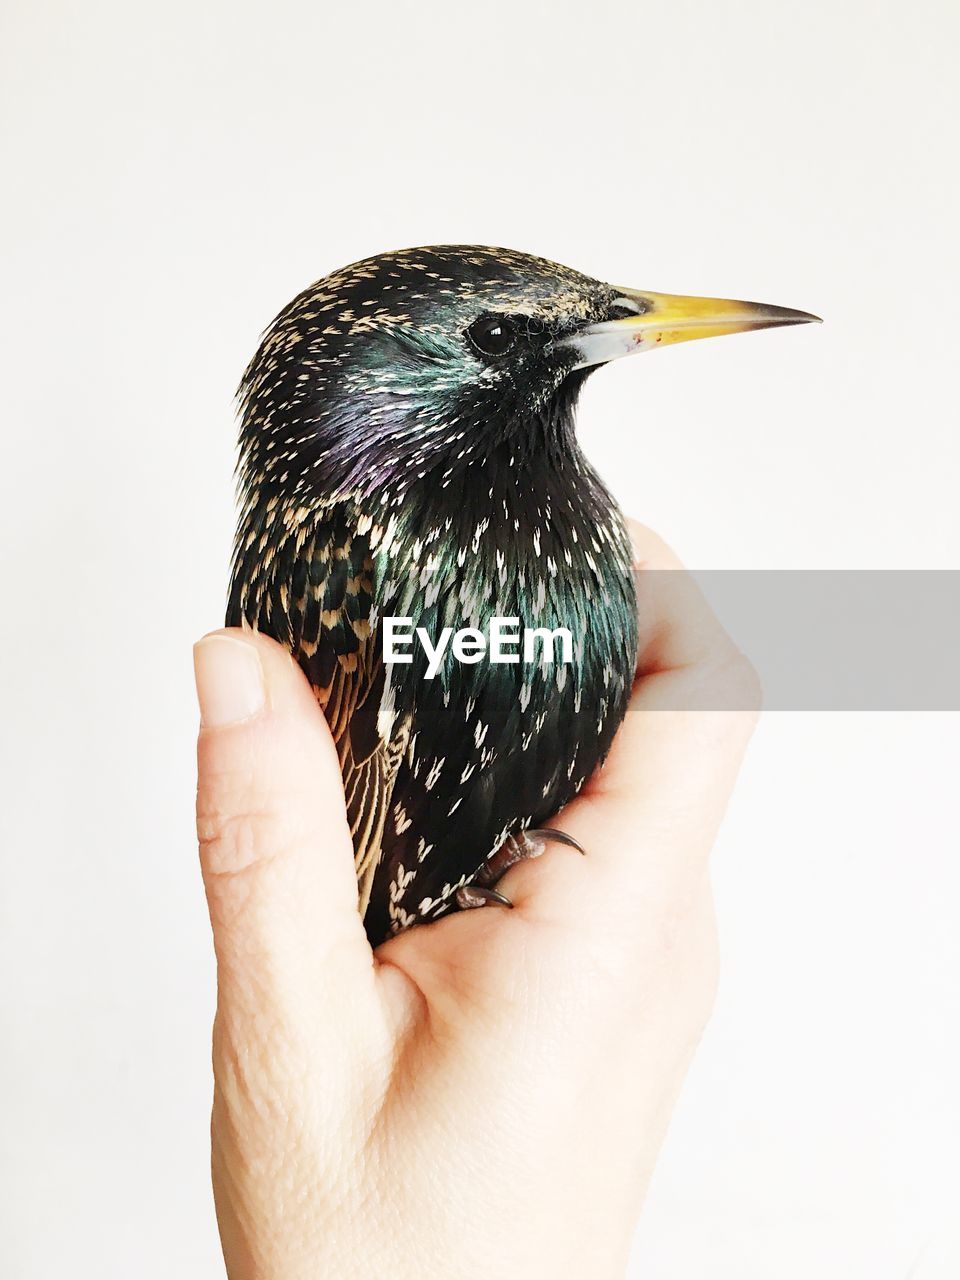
(314, 595)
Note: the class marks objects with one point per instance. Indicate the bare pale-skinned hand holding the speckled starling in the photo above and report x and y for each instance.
(486, 1096)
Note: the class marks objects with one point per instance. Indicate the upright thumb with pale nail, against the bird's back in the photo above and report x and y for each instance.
(275, 847)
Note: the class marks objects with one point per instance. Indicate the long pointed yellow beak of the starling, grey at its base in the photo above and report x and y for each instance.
(662, 319)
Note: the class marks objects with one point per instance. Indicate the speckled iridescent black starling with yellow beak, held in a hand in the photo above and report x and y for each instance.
(408, 454)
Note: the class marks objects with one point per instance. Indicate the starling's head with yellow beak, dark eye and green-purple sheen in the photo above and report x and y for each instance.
(410, 367)
